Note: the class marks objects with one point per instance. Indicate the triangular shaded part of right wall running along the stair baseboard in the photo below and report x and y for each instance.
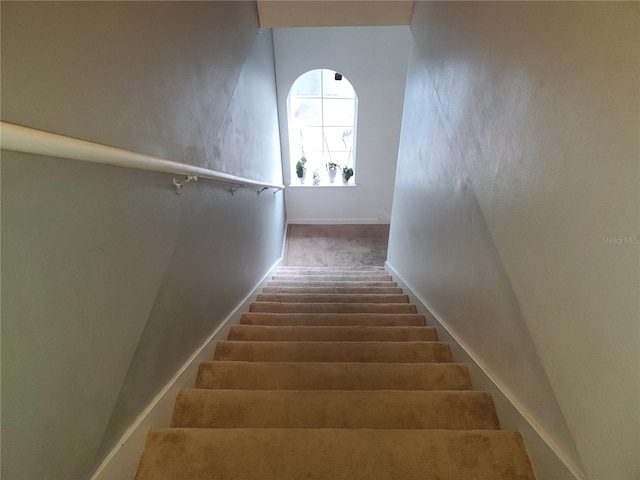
(445, 253)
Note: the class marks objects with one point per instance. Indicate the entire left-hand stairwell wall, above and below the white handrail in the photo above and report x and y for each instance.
(110, 280)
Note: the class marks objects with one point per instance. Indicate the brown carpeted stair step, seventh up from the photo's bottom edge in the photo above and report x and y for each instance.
(275, 307)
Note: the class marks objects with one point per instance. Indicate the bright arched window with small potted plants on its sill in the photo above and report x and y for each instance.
(322, 115)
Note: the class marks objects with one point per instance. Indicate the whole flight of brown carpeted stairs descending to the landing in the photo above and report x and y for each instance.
(333, 375)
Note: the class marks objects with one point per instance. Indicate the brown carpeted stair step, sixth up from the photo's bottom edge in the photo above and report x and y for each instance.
(333, 319)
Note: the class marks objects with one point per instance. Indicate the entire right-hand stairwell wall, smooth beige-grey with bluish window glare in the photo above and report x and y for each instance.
(517, 177)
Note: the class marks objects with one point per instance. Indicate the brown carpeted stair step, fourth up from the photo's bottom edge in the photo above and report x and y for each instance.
(370, 352)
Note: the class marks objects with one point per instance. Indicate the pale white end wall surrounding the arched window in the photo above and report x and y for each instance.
(374, 59)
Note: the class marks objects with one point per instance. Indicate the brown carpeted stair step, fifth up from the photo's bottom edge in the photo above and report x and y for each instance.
(257, 333)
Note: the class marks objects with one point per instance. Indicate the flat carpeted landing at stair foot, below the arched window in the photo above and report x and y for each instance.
(336, 245)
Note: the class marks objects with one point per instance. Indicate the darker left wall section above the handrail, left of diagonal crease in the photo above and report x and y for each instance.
(157, 78)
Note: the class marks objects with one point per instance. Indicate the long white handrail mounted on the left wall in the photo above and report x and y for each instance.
(28, 140)
